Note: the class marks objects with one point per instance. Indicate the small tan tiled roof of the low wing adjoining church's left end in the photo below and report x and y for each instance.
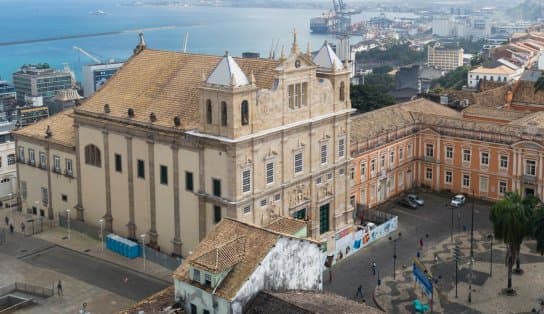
(60, 125)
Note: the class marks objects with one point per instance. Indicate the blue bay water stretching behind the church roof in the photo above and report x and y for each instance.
(212, 30)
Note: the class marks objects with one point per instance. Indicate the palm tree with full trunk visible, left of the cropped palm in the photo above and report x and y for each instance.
(509, 218)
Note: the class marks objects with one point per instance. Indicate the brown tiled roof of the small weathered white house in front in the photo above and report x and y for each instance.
(257, 244)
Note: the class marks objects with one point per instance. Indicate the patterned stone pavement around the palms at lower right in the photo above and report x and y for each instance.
(397, 296)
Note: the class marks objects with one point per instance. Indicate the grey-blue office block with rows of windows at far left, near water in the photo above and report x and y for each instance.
(40, 81)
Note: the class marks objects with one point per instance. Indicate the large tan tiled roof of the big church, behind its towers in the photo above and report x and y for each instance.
(167, 84)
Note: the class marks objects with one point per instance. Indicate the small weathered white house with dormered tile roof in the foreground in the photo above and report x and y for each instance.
(237, 260)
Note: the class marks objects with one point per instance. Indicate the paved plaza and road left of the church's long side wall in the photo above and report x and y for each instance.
(104, 280)
